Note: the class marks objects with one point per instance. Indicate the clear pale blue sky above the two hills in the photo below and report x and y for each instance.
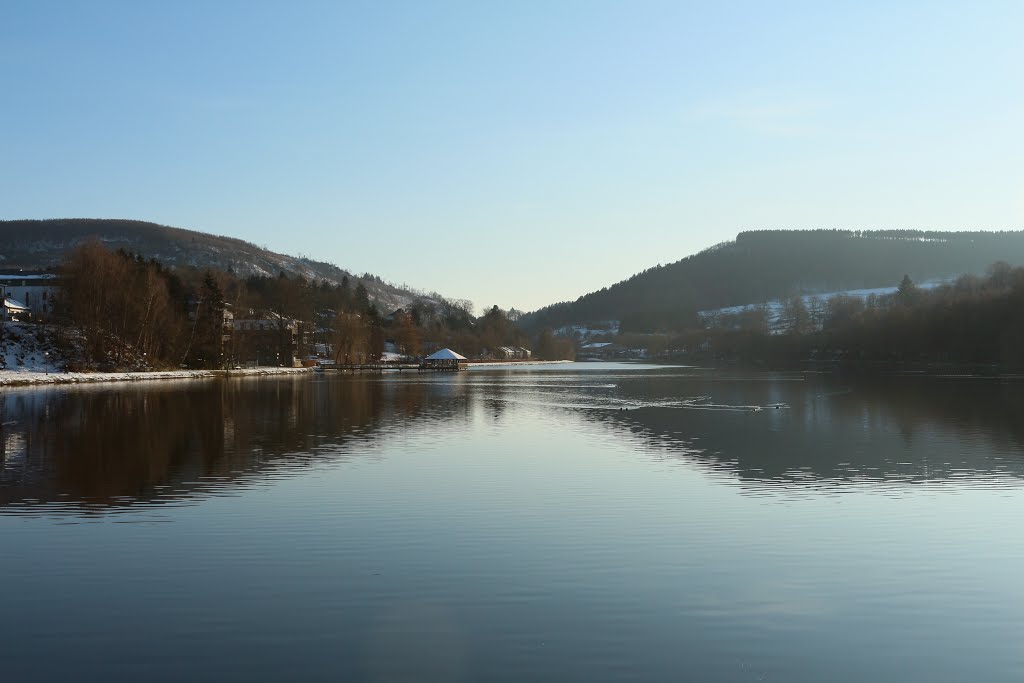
(518, 153)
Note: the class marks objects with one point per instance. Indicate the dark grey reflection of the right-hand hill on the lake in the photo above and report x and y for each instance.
(825, 432)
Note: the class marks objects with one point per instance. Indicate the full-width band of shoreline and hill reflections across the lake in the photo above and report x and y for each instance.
(96, 449)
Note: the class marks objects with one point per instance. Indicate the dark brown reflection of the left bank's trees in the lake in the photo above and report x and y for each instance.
(98, 448)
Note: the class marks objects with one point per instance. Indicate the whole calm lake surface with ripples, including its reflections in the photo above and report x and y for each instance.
(588, 523)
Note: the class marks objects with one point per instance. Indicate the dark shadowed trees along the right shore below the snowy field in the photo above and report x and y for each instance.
(973, 321)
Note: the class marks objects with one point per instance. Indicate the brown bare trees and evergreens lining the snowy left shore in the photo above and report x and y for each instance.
(126, 312)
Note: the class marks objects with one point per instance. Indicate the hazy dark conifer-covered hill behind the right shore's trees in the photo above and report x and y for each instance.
(769, 265)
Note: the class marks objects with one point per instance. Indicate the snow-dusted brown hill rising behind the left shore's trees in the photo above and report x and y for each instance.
(46, 244)
